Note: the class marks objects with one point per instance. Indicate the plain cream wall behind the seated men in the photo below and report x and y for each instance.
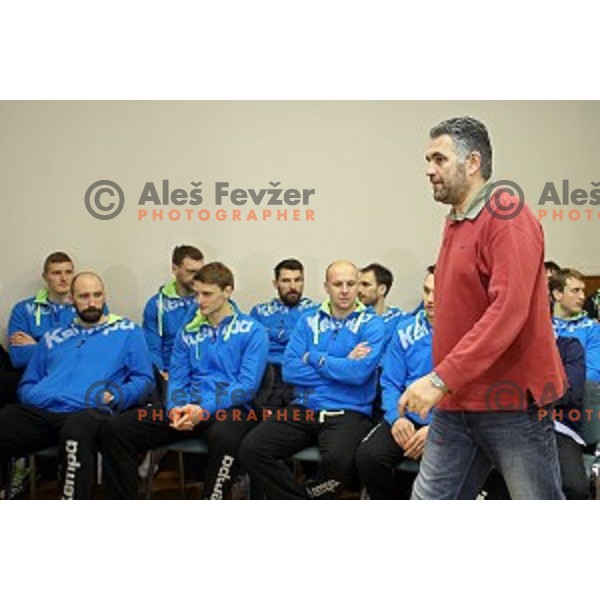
(364, 159)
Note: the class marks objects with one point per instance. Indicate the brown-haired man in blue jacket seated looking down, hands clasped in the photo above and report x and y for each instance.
(217, 364)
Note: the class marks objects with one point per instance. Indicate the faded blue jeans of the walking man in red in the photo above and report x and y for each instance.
(462, 447)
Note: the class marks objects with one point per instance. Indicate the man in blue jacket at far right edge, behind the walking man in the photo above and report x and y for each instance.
(567, 289)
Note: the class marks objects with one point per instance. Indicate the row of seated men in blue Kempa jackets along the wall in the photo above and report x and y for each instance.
(85, 391)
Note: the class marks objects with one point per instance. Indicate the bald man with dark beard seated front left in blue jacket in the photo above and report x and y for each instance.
(78, 378)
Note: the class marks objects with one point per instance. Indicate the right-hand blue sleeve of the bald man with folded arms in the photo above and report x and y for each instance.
(349, 370)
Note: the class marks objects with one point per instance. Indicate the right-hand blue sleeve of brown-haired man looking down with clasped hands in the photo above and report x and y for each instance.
(252, 369)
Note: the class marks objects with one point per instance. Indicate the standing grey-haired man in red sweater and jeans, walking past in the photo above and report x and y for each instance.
(494, 355)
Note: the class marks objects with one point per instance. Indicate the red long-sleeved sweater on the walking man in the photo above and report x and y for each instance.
(493, 338)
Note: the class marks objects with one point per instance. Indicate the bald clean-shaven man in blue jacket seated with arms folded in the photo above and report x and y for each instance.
(331, 360)
